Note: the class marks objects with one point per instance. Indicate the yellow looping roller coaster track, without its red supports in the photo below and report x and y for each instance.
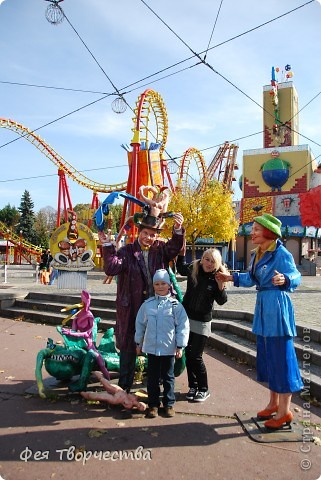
(222, 166)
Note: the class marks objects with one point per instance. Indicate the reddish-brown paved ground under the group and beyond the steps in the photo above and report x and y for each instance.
(65, 437)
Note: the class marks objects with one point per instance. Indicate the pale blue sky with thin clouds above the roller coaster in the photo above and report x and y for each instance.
(105, 46)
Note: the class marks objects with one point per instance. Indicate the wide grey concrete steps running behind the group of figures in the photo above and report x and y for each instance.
(231, 330)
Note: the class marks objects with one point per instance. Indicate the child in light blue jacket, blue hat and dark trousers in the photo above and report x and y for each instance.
(162, 330)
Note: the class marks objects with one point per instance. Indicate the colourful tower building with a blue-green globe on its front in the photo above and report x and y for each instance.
(277, 177)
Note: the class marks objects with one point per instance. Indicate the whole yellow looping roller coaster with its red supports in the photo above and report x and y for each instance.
(146, 161)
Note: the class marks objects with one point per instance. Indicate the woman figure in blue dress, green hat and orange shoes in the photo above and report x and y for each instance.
(272, 270)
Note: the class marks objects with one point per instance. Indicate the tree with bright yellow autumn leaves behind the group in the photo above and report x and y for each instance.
(207, 213)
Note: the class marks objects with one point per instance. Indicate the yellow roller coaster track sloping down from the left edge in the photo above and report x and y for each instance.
(58, 160)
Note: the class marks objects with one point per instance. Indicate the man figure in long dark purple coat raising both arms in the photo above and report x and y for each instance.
(135, 265)
